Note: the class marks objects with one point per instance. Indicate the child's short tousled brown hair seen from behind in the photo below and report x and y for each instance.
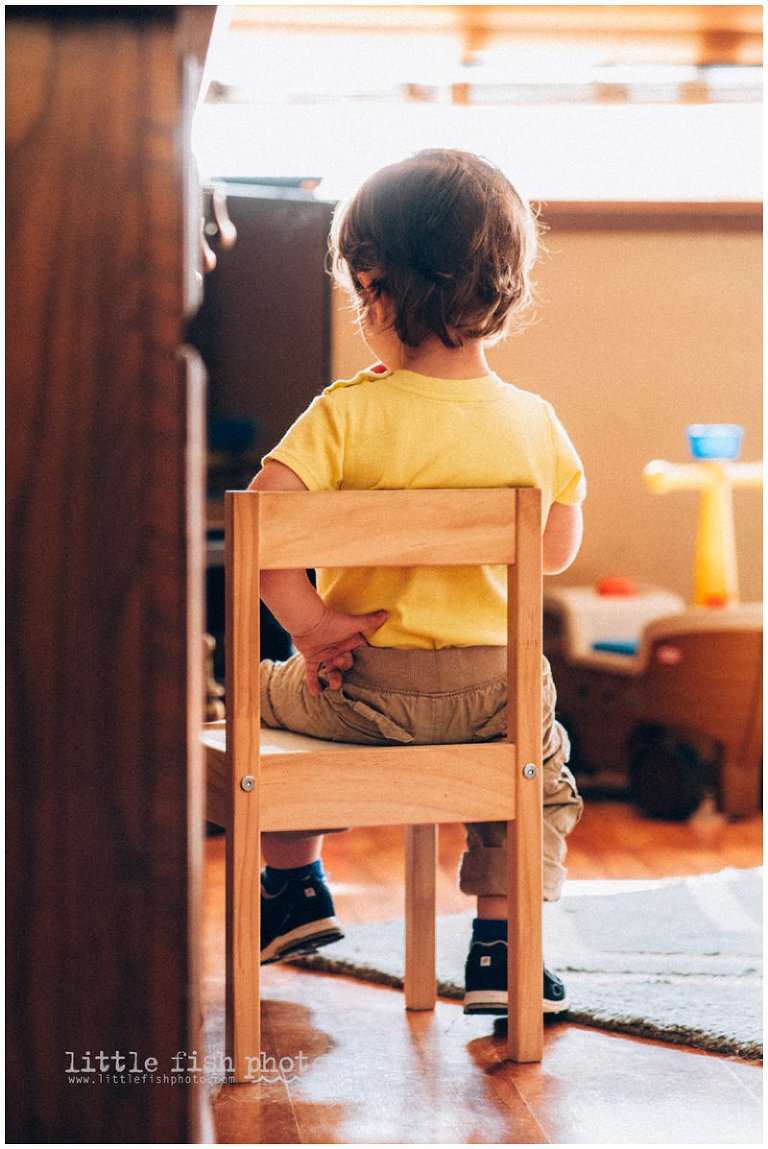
(450, 241)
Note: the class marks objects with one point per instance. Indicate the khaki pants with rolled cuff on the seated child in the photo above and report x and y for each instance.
(431, 697)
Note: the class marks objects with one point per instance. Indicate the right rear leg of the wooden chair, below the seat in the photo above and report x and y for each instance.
(526, 1022)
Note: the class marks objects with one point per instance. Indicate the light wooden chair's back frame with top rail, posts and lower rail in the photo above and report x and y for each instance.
(285, 530)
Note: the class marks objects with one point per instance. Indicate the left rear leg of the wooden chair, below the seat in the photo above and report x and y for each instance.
(243, 945)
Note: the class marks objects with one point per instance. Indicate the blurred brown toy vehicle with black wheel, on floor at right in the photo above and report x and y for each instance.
(663, 703)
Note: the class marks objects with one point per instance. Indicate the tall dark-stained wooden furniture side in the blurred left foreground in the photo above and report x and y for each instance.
(105, 574)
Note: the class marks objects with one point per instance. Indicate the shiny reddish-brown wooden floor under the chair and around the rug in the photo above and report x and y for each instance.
(367, 1073)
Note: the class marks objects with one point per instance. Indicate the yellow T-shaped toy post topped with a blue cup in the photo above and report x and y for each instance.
(715, 474)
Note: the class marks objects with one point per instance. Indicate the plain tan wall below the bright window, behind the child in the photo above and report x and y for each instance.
(643, 328)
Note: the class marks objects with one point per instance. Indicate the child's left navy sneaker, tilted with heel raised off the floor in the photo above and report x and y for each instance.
(298, 919)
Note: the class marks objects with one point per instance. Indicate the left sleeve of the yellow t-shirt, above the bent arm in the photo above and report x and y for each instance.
(313, 448)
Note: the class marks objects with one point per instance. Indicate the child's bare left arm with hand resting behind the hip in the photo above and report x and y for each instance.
(324, 636)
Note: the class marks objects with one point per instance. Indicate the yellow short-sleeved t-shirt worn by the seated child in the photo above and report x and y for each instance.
(394, 430)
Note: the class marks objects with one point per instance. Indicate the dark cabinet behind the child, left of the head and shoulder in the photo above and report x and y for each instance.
(265, 327)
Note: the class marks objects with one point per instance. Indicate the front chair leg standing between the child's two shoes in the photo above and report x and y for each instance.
(421, 862)
